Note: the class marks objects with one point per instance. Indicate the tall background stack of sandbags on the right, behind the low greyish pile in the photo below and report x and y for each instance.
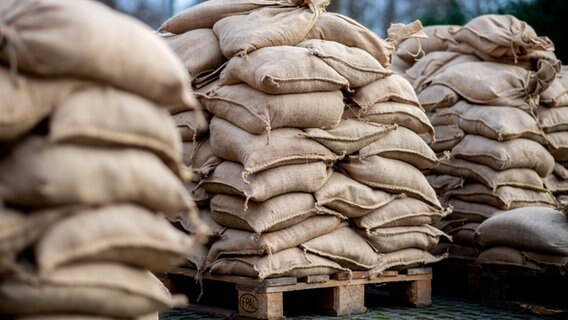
(480, 85)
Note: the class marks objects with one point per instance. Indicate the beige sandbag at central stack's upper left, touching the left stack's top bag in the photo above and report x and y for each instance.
(198, 49)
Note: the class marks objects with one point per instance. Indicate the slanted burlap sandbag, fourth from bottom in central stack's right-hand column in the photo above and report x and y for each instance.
(384, 173)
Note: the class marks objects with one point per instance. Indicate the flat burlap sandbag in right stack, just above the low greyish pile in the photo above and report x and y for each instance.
(504, 197)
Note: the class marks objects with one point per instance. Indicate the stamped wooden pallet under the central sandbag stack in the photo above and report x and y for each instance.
(337, 295)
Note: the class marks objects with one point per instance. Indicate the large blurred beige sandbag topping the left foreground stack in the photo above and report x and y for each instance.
(125, 53)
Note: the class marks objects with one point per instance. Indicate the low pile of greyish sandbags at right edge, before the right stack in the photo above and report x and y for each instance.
(536, 238)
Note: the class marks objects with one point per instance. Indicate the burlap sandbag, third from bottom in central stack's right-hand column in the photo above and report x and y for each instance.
(401, 212)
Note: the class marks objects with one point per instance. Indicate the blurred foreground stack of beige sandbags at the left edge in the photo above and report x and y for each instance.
(90, 163)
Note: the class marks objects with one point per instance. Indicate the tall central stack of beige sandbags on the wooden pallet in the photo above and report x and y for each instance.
(280, 124)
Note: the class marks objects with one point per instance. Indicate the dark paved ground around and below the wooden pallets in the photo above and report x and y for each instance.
(442, 308)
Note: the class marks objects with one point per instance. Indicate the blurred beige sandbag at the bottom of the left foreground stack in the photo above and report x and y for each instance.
(106, 289)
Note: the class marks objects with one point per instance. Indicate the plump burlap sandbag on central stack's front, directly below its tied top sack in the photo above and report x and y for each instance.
(282, 70)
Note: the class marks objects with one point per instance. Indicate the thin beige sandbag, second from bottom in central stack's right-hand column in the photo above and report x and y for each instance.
(390, 239)
